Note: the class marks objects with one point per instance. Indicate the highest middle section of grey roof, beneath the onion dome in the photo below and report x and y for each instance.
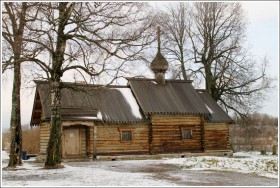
(175, 97)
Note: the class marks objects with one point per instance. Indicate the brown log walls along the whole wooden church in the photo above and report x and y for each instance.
(165, 130)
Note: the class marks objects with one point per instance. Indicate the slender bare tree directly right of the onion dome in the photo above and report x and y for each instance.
(174, 24)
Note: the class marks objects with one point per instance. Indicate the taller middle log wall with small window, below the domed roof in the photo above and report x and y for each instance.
(167, 133)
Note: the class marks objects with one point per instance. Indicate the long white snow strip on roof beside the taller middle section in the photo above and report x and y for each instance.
(127, 94)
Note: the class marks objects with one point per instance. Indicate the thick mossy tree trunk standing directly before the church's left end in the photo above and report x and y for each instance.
(54, 150)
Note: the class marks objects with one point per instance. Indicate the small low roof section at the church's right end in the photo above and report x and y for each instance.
(217, 114)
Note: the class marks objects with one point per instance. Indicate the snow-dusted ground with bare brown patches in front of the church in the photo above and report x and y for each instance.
(244, 169)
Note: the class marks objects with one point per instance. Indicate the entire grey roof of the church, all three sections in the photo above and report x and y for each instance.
(121, 104)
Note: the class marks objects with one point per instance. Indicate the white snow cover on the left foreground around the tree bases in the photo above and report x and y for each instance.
(33, 174)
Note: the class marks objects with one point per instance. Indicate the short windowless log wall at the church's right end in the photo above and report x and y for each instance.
(216, 136)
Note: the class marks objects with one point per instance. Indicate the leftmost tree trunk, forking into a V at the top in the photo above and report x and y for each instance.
(16, 133)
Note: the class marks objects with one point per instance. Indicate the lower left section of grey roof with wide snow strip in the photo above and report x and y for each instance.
(109, 104)
